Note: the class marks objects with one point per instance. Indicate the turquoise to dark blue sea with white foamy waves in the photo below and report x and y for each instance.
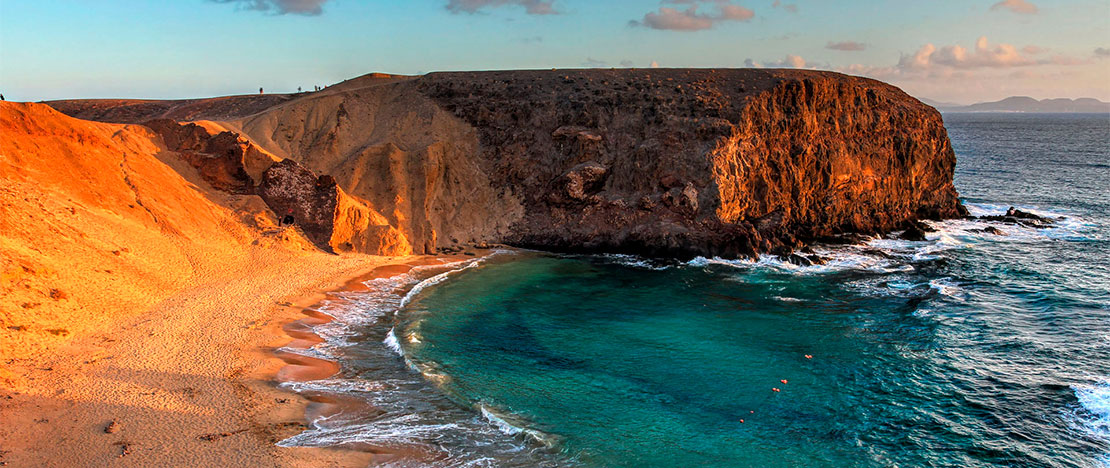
(968, 350)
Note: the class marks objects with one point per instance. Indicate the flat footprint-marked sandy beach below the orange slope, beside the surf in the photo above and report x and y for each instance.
(189, 383)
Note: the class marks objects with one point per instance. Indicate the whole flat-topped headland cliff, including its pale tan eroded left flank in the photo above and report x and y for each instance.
(657, 162)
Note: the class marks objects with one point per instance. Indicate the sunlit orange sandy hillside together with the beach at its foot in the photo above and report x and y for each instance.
(132, 291)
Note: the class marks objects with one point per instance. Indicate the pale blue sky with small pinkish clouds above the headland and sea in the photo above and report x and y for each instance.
(960, 52)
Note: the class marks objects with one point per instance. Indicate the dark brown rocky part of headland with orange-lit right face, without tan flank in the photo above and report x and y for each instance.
(741, 161)
